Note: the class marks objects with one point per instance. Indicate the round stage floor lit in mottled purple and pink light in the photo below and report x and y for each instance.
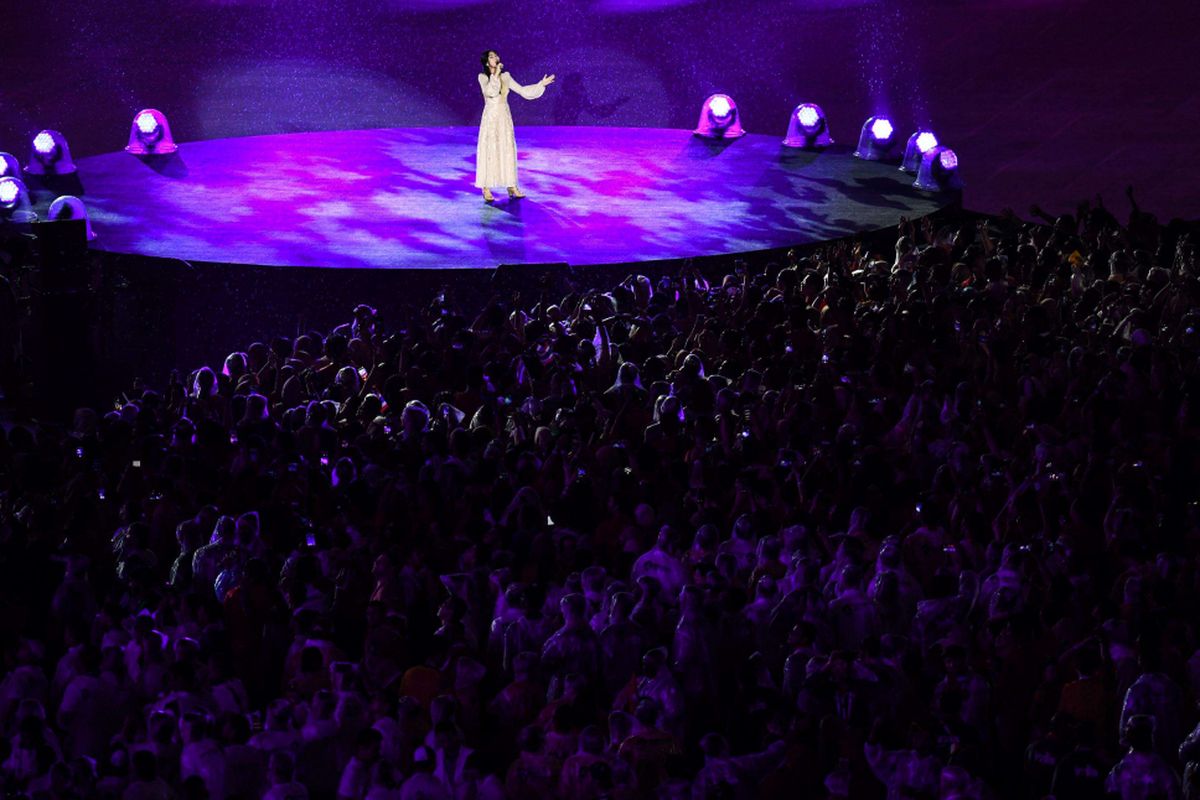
(403, 199)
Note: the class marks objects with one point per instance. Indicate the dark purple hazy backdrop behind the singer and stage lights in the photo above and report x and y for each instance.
(1049, 101)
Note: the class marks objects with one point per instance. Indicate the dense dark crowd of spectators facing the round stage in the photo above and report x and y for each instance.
(904, 520)
